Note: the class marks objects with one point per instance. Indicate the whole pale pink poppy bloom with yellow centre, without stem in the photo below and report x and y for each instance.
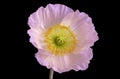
(63, 37)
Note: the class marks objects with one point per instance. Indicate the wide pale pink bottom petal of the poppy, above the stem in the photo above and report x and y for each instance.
(65, 63)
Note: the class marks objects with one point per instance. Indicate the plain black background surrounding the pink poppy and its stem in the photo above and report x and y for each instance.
(18, 55)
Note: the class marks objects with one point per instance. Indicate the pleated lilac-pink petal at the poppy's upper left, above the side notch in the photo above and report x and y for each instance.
(49, 16)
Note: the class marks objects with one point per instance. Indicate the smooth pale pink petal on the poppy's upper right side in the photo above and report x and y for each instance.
(82, 26)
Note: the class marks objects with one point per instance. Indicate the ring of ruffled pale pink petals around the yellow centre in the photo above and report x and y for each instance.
(79, 23)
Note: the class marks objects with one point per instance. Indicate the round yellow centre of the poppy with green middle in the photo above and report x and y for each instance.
(60, 40)
